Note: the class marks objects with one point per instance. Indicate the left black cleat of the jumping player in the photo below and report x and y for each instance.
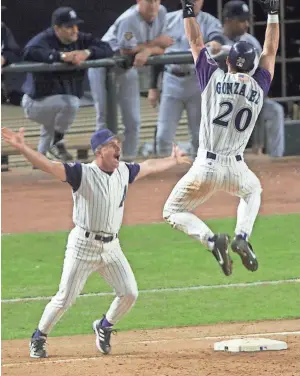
(221, 253)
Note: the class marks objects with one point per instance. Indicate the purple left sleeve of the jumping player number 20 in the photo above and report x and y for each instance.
(205, 67)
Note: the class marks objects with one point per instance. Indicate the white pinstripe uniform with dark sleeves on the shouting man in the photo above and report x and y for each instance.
(93, 244)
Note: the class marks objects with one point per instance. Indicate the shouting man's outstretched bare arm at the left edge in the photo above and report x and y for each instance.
(16, 139)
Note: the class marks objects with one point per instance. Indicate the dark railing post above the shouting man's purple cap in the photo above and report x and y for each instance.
(111, 103)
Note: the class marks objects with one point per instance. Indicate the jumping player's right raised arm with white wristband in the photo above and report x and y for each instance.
(268, 56)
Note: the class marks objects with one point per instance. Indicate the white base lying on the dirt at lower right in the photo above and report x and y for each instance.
(250, 345)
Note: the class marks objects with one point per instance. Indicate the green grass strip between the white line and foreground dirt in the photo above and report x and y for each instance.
(161, 310)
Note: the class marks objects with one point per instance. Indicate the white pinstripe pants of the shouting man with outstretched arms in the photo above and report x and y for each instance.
(83, 257)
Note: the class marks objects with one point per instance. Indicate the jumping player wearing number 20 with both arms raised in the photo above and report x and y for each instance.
(231, 103)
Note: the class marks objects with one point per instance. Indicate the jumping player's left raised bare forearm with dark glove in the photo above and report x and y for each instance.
(192, 28)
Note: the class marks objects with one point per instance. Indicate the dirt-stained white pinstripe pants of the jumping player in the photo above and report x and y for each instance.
(206, 177)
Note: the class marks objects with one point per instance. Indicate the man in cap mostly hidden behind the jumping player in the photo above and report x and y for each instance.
(236, 18)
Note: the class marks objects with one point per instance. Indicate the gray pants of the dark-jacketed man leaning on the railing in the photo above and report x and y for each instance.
(54, 113)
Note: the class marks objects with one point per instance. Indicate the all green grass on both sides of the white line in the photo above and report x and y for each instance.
(160, 257)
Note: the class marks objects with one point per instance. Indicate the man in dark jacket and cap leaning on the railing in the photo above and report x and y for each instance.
(52, 98)
